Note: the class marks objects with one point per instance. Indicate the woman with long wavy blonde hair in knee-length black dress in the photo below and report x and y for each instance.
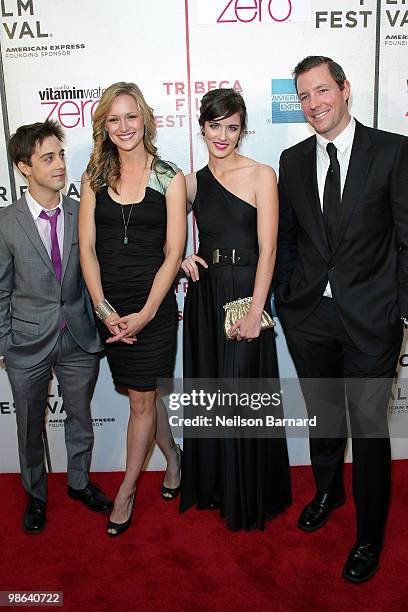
(132, 234)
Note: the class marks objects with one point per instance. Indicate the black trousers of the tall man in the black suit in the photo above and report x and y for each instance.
(347, 378)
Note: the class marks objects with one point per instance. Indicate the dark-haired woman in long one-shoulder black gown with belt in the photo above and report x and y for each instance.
(235, 203)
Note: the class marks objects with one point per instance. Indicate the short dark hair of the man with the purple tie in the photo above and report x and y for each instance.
(22, 144)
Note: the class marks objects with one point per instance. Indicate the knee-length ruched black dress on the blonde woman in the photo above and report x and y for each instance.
(127, 274)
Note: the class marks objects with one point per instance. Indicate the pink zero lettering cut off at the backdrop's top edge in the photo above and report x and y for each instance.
(246, 11)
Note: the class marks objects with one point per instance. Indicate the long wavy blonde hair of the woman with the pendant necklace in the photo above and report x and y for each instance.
(104, 166)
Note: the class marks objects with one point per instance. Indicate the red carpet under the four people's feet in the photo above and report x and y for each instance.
(171, 562)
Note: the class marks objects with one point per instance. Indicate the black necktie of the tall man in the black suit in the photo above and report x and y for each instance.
(332, 195)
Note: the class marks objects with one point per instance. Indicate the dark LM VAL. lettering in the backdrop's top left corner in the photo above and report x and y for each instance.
(13, 27)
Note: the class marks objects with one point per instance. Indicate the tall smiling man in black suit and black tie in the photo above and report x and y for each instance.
(341, 291)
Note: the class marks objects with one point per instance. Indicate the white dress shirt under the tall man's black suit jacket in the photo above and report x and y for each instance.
(343, 143)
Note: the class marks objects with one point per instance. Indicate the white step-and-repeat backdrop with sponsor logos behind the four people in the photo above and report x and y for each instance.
(58, 57)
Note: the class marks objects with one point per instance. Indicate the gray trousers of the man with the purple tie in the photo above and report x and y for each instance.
(76, 371)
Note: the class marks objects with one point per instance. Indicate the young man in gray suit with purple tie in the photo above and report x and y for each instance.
(45, 319)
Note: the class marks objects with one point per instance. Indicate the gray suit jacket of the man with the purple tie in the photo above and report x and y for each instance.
(32, 301)
